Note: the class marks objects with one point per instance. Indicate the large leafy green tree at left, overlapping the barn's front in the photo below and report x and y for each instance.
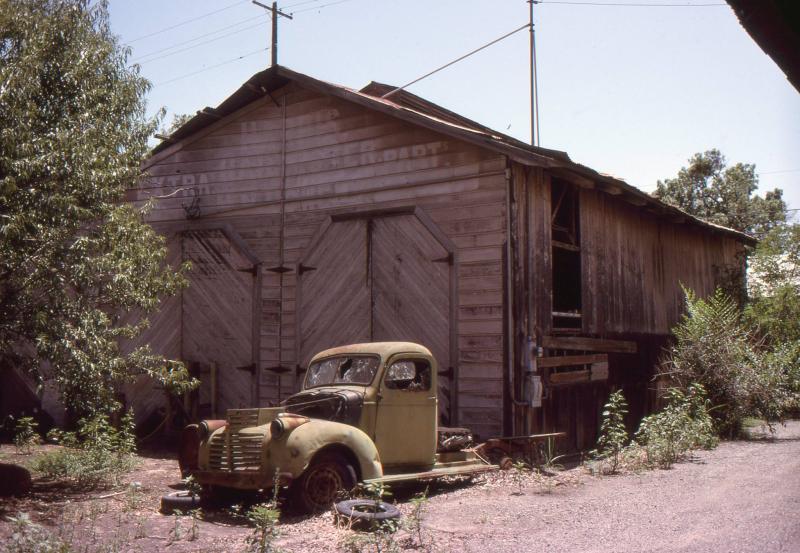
(74, 256)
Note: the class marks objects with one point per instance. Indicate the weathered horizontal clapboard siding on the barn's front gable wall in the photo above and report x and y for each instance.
(274, 176)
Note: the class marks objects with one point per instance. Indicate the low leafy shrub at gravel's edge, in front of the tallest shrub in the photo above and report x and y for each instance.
(682, 425)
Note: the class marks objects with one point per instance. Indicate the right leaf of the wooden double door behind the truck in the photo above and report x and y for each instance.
(411, 291)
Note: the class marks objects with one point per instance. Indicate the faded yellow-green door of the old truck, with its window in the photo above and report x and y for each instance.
(405, 426)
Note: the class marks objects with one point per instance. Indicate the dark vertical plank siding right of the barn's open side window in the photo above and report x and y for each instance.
(634, 263)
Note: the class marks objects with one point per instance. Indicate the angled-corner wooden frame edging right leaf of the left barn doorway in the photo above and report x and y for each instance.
(241, 246)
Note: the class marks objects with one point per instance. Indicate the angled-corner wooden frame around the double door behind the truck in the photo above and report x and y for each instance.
(449, 246)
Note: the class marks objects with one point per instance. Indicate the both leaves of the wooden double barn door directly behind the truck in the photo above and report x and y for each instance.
(379, 278)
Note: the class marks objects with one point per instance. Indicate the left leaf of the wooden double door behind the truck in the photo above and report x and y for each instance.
(334, 292)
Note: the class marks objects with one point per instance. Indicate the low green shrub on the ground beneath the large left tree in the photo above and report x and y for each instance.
(96, 457)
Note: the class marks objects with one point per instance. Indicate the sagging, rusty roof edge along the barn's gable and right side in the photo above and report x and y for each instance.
(264, 82)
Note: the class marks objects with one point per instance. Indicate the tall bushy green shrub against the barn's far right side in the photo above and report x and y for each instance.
(716, 349)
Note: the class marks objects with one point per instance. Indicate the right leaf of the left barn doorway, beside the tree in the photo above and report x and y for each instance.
(217, 334)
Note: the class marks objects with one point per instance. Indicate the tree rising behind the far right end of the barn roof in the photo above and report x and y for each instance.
(715, 192)
